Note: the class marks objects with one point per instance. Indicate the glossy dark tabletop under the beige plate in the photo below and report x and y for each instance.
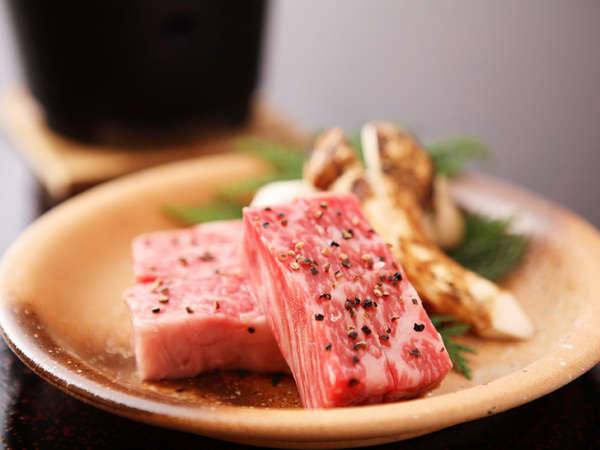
(37, 415)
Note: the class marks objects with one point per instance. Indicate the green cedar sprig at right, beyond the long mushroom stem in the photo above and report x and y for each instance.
(488, 247)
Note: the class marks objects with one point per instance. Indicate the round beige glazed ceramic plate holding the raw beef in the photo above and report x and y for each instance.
(61, 312)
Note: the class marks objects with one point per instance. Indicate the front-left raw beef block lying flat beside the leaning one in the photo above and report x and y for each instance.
(183, 327)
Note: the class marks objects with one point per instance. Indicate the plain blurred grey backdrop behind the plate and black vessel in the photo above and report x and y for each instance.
(522, 76)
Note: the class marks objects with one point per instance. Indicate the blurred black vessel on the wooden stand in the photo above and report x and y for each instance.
(139, 65)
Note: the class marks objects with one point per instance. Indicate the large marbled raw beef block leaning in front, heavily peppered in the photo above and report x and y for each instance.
(348, 322)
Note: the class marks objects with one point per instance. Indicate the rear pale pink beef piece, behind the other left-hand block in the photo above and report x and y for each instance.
(199, 250)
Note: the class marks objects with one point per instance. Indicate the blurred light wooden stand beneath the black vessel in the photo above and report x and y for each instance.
(65, 166)
